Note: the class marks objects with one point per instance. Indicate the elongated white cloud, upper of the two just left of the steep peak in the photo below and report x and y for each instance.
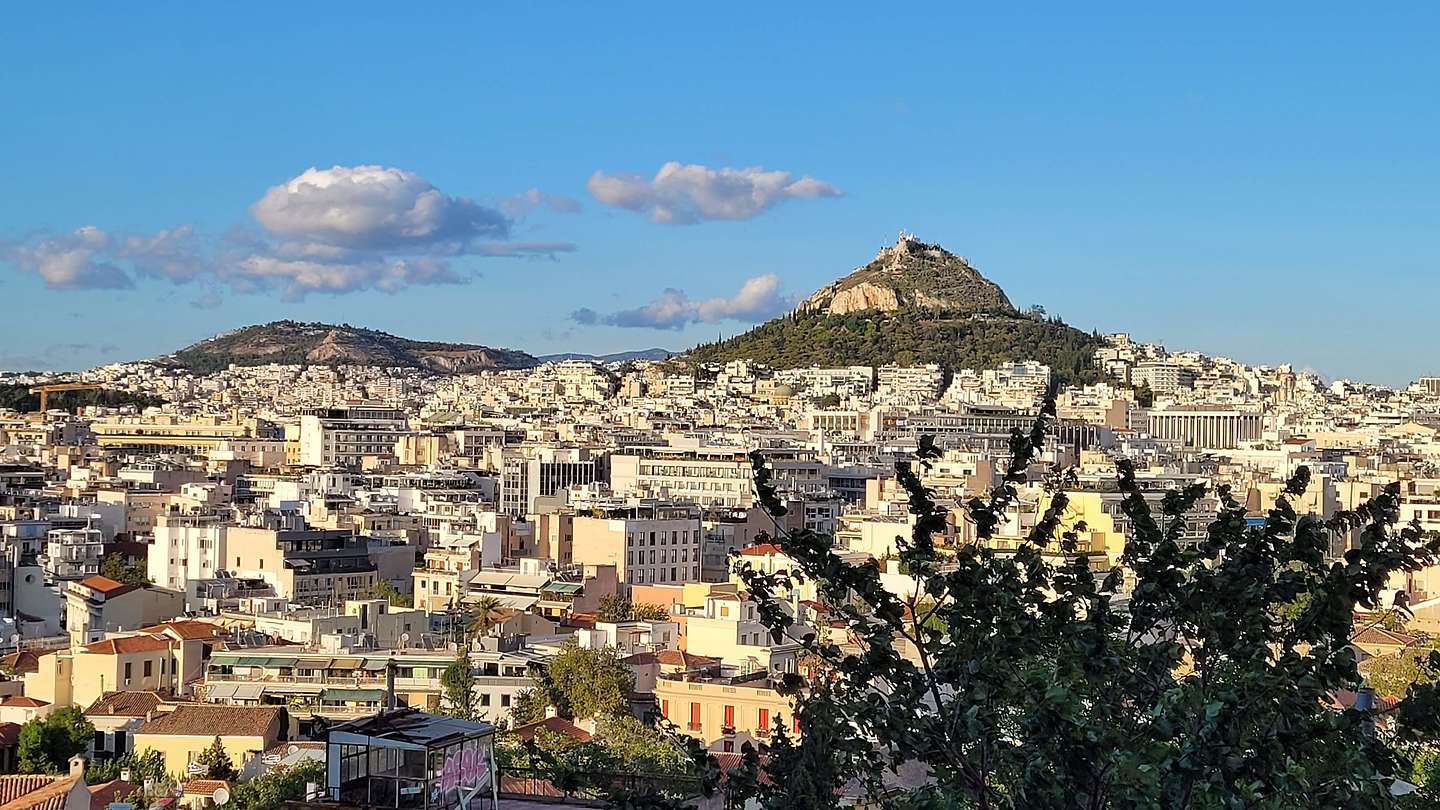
(689, 194)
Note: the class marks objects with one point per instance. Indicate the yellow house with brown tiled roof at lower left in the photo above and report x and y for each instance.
(182, 734)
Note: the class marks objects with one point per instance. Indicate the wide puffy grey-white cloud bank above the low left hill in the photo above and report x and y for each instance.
(339, 230)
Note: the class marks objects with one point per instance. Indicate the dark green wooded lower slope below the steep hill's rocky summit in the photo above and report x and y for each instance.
(912, 337)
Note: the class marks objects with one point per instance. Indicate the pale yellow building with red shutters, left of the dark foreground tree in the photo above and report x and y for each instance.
(725, 713)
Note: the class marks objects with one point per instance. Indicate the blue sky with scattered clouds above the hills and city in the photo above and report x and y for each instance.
(1261, 185)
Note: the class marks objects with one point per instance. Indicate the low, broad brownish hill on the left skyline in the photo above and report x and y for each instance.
(328, 345)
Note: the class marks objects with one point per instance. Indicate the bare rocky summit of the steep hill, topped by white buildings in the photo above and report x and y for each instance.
(911, 275)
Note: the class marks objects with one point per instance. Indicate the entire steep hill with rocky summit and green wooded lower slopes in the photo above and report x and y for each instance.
(915, 303)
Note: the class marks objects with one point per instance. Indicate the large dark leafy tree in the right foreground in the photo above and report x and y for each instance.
(1045, 687)
